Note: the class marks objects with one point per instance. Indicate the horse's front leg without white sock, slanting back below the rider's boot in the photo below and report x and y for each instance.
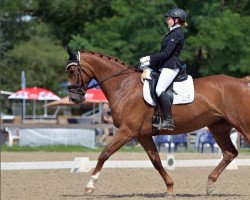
(149, 146)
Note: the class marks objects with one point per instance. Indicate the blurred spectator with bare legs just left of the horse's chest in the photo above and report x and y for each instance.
(106, 119)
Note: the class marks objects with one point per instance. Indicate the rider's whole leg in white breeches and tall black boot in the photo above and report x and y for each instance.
(166, 78)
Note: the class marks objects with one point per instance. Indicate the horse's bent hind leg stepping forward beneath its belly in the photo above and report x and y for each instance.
(221, 133)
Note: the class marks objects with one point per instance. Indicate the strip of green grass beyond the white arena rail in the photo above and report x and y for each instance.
(63, 148)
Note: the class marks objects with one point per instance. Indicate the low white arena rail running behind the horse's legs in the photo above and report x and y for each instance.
(84, 164)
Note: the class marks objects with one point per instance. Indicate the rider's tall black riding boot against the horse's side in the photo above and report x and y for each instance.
(167, 122)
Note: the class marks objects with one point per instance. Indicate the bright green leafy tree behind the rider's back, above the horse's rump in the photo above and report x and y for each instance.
(222, 44)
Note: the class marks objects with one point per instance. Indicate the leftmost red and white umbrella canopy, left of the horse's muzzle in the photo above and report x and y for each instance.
(34, 94)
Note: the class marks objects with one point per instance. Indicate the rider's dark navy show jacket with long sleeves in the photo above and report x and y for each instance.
(171, 47)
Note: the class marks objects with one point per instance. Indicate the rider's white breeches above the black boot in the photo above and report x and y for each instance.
(166, 78)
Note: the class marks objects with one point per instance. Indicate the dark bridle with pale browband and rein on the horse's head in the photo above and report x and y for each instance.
(81, 87)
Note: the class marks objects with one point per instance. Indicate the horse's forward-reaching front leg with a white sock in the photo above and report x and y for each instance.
(122, 137)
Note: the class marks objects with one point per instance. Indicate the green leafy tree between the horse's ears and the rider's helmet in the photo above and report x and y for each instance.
(135, 29)
